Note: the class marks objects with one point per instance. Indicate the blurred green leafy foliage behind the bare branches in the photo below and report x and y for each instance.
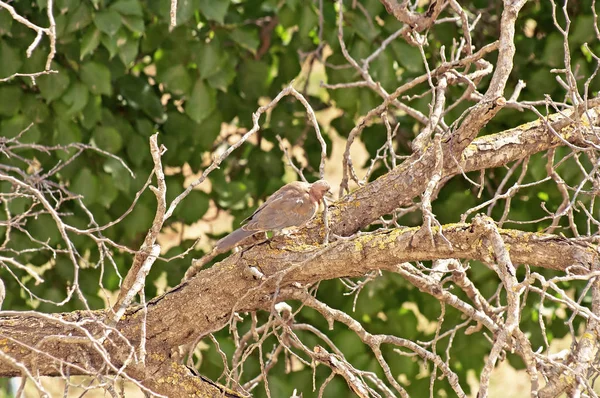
(123, 75)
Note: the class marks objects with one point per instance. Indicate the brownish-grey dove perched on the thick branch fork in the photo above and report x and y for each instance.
(292, 205)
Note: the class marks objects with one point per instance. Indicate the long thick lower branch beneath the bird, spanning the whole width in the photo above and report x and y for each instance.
(205, 303)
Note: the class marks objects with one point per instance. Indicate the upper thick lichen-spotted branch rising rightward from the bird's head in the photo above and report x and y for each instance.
(401, 185)
